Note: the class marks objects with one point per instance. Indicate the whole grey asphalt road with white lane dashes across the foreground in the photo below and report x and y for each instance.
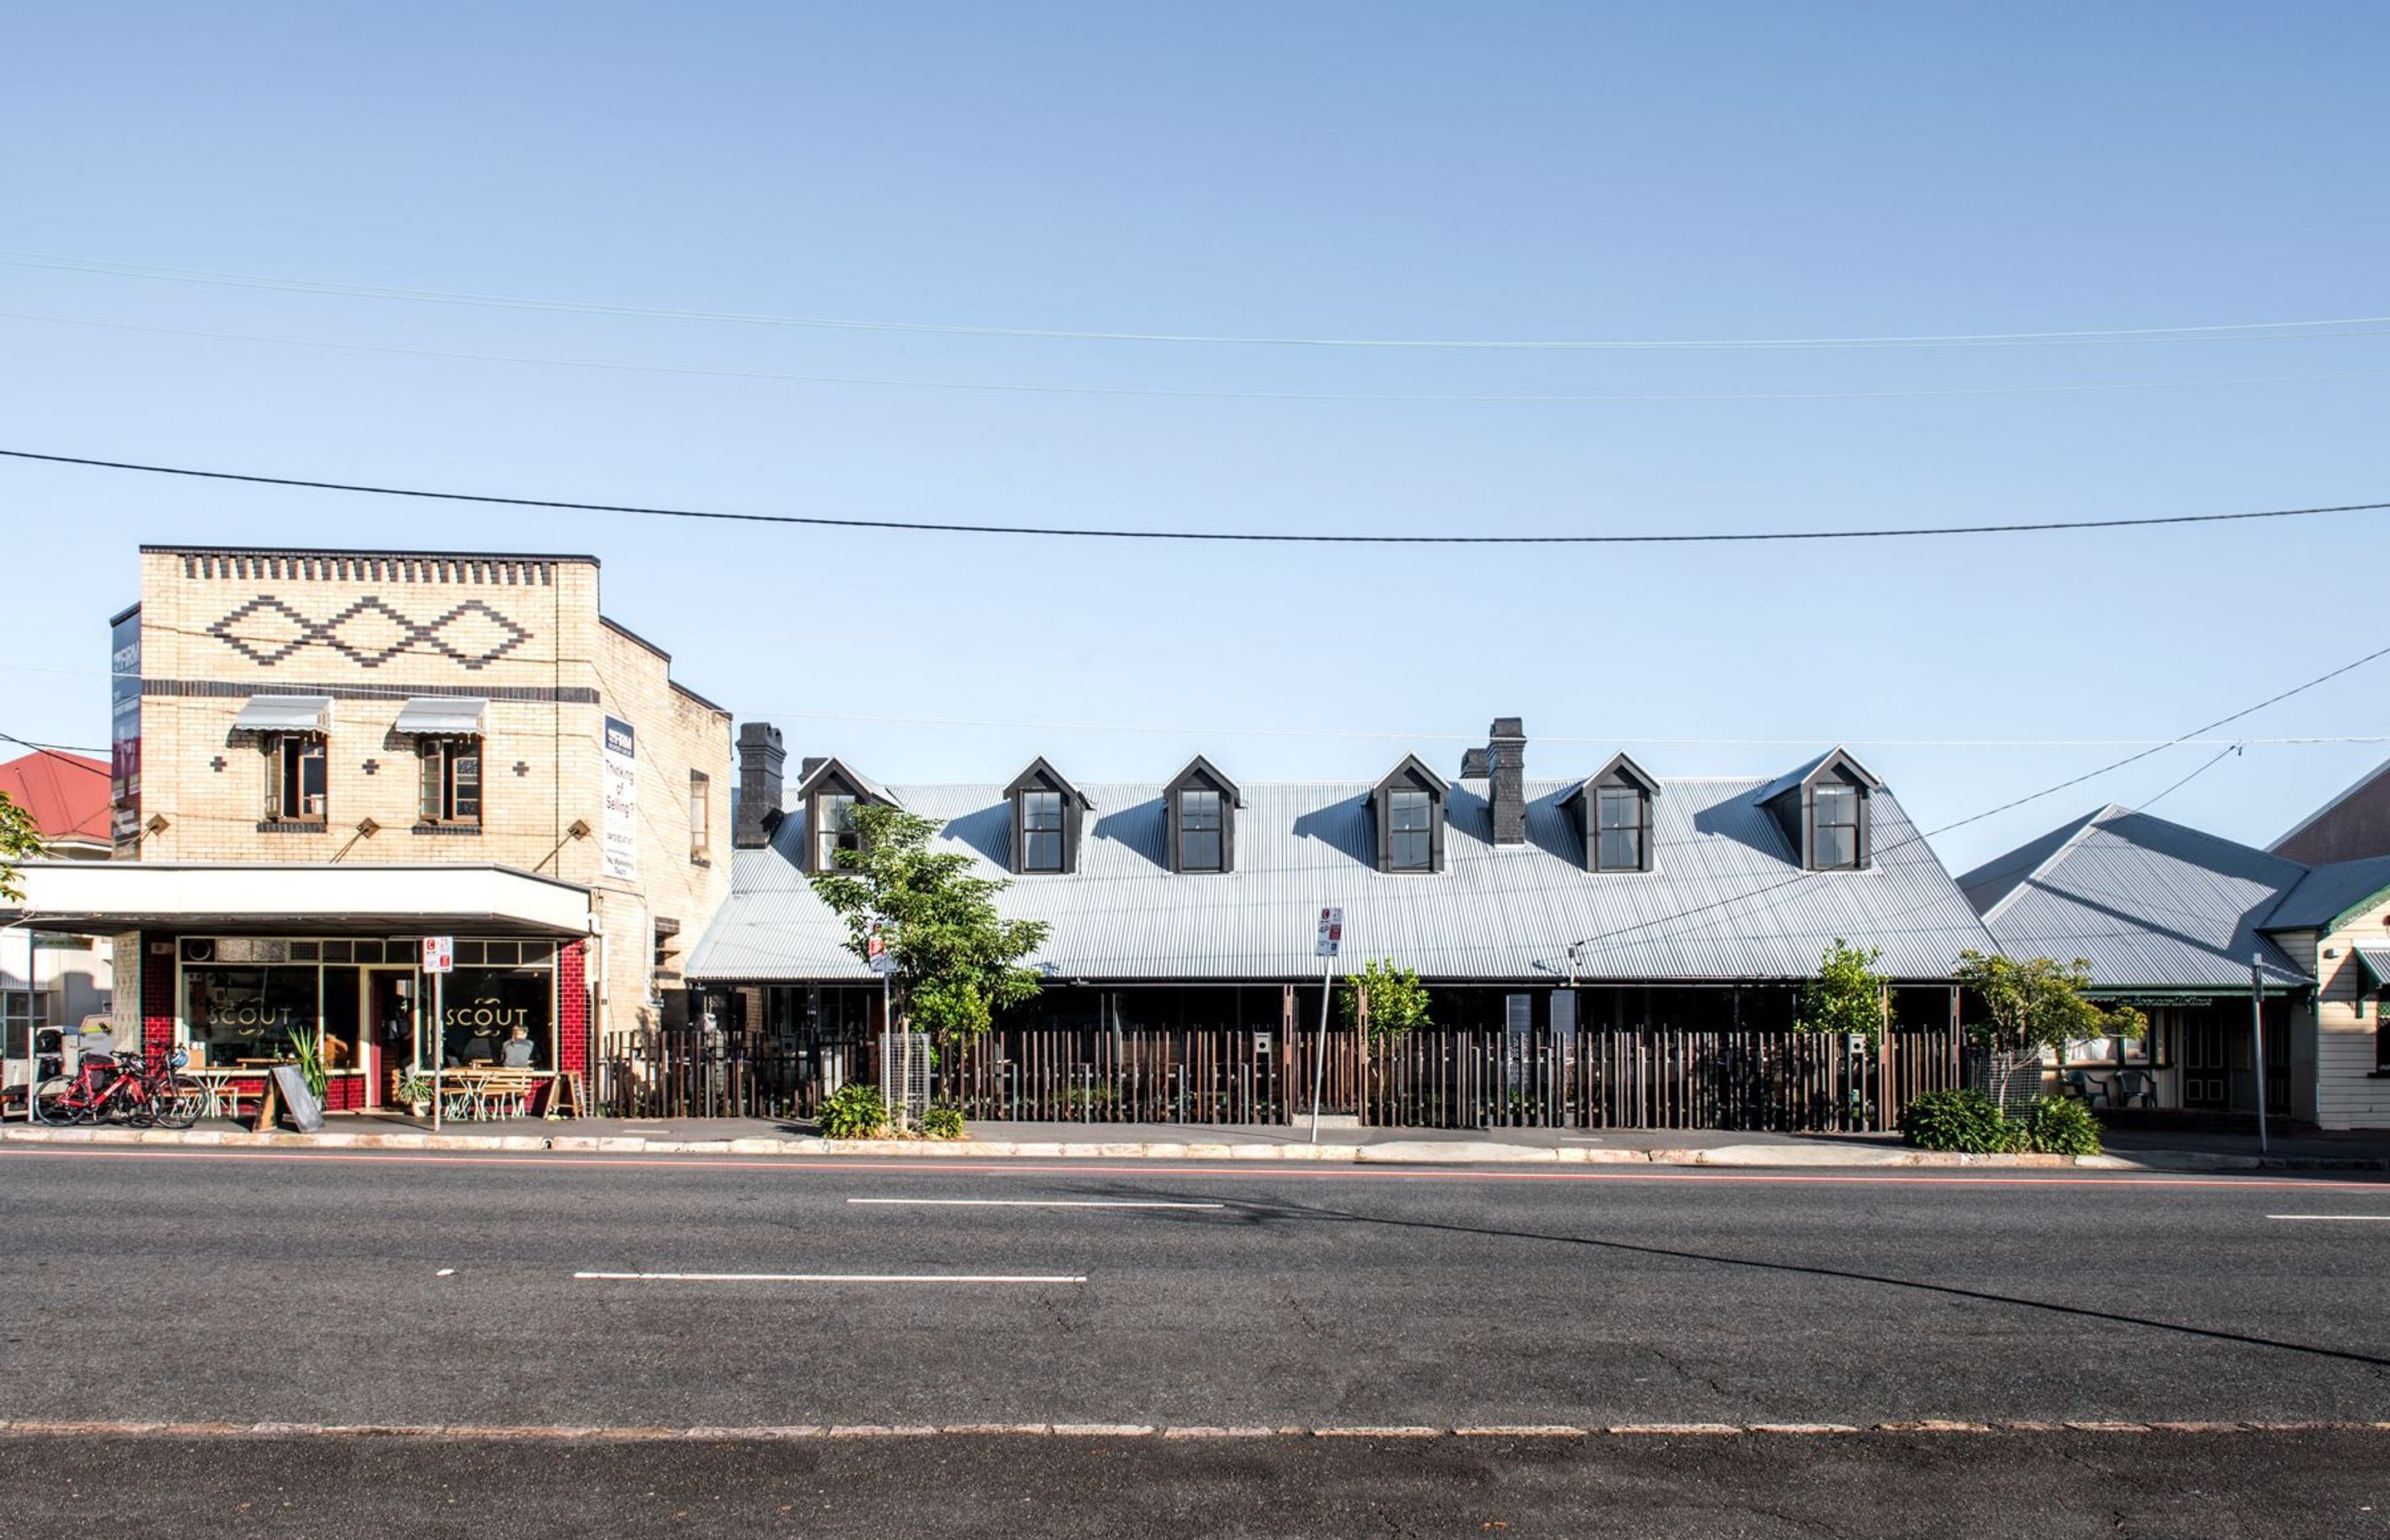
(257, 1288)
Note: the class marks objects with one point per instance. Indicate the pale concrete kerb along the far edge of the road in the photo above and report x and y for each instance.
(1784, 1156)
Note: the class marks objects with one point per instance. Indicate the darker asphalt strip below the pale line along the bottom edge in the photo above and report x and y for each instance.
(979, 1489)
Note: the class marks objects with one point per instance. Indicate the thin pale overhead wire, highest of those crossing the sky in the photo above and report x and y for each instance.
(2241, 331)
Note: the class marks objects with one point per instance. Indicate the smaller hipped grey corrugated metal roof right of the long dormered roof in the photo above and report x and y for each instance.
(2143, 900)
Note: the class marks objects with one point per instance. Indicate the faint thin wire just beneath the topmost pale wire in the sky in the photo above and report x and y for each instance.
(1208, 396)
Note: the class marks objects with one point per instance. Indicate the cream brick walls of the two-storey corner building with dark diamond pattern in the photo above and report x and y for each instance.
(372, 637)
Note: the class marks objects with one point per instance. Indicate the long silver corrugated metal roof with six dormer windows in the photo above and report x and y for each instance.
(1724, 898)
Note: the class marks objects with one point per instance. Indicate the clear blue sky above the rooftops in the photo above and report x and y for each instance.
(1375, 171)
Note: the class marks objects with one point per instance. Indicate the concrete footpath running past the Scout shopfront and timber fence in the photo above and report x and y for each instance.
(2133, 1151)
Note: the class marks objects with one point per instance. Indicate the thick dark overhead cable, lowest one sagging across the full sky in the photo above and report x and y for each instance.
(1194, 534)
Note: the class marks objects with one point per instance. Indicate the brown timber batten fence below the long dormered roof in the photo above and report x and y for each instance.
(1614, 1077)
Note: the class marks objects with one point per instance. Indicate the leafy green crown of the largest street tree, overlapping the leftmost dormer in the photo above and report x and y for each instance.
(957, 960)
